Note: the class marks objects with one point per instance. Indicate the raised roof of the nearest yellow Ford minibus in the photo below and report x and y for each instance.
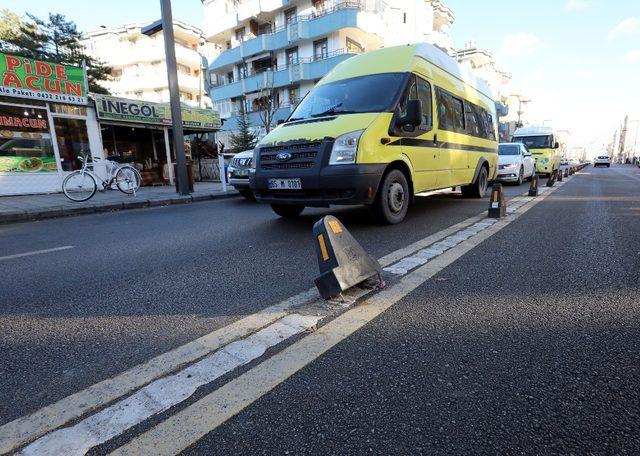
(399, 59)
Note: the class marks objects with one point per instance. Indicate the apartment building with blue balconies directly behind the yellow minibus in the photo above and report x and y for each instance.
(274, 51)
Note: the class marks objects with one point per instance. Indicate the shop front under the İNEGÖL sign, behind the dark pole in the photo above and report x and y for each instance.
(140, 132)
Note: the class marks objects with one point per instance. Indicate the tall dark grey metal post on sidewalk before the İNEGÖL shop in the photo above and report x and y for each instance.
(174, 96)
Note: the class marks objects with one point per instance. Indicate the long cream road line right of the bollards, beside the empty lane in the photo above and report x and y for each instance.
(186, 427)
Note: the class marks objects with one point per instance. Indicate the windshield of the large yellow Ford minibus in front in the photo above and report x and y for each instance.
(370, 93)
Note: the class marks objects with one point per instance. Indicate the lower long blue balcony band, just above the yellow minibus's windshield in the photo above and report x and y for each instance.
(306, 69)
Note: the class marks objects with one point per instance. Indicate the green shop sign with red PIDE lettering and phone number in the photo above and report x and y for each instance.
(36, 79)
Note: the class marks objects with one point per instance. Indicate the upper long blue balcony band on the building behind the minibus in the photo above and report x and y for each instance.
(344, 14)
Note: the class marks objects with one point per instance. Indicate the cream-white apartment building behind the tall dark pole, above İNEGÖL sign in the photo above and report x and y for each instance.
(138, 67)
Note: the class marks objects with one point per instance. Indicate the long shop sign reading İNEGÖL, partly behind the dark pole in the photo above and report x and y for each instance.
(126, 110)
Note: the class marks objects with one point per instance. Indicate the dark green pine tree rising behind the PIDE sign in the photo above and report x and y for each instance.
(57, 40)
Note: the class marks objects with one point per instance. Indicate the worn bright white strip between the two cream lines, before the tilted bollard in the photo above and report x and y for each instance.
(166, 392)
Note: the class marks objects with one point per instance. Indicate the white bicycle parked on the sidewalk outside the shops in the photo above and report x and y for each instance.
(82, 184)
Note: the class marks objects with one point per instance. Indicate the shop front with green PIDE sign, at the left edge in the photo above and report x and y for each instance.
(45, 124)
